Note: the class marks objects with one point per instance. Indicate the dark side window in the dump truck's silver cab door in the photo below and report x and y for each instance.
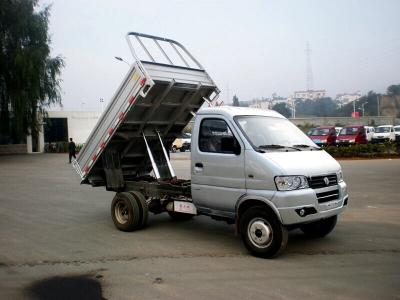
(216, 137)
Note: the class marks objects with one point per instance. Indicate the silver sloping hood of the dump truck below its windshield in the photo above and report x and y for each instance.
(308, 163)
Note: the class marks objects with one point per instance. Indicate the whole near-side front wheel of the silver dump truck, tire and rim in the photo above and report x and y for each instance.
(262, 233)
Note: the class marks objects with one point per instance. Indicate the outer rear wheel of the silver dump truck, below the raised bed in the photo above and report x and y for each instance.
(125, 212)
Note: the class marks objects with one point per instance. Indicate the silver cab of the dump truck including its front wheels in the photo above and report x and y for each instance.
(256, 162)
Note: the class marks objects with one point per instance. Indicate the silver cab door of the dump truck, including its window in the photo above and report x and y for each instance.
(217, 166)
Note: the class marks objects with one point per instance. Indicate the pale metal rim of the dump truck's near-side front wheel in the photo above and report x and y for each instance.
(260, 233)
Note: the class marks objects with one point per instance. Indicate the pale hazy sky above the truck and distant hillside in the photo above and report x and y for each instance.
(253, 47)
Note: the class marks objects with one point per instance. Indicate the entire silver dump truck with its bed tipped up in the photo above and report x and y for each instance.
(249, 167)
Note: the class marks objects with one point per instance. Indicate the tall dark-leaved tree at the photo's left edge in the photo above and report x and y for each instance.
(29, 77)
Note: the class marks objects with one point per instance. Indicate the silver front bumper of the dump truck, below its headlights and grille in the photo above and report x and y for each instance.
(289, 204)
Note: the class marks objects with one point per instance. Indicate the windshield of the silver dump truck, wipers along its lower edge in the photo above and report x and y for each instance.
(269, 131)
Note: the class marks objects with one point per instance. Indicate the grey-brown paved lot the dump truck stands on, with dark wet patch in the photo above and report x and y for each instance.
(57, 240)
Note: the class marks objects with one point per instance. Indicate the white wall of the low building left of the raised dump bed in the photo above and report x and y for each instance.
(80, 123)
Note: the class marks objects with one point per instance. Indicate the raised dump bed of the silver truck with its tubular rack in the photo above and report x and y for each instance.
(155, 101)
